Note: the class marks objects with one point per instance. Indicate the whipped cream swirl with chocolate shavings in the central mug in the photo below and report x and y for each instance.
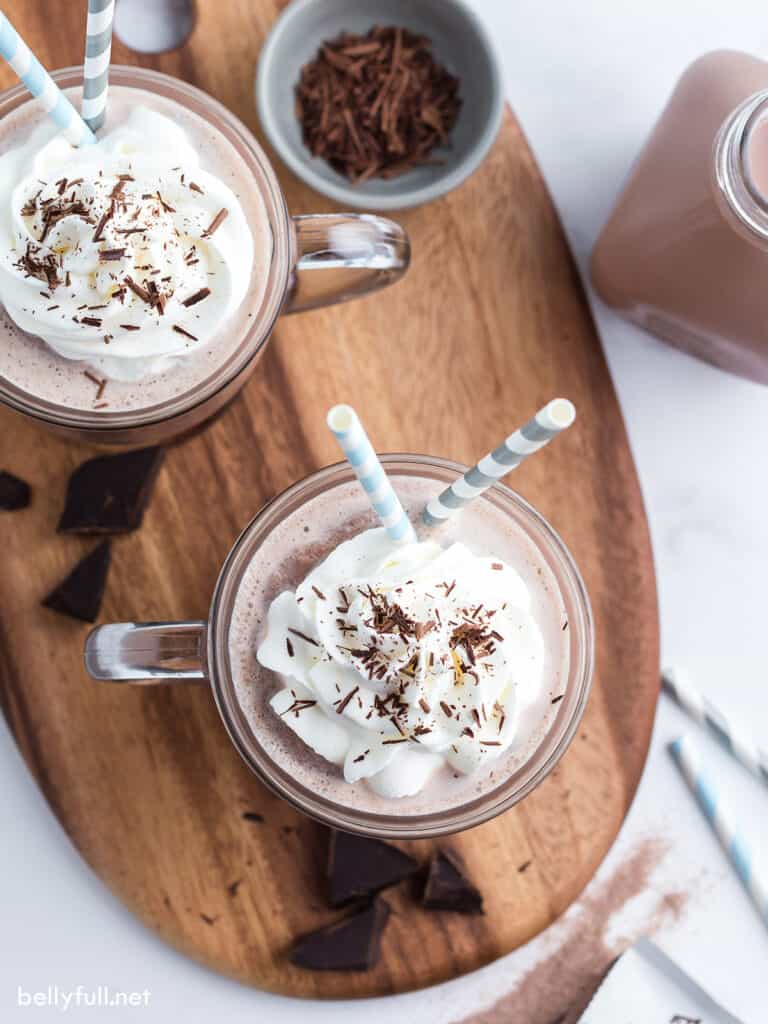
(396, 661)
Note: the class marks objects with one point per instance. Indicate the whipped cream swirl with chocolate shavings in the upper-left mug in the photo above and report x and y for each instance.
(126, 254)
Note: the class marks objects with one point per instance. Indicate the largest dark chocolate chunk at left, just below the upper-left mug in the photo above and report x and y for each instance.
(108, 495)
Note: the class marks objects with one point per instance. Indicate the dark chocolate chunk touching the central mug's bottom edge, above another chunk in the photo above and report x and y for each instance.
(359, 867)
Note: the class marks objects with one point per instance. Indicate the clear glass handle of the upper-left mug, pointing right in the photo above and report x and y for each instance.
(342, 257)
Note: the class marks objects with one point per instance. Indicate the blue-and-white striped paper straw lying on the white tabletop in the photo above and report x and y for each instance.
(750, 870)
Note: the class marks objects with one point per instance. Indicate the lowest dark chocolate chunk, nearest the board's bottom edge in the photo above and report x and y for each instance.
(351, 945)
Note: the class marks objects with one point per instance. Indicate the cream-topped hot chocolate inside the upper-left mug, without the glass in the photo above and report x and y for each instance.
(130, 270)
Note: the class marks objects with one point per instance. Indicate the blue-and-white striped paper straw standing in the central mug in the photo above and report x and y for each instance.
(349, 432)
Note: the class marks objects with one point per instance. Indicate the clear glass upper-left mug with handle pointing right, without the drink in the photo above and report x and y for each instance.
(317, 261)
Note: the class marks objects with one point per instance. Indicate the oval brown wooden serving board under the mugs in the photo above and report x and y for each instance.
(490, 323)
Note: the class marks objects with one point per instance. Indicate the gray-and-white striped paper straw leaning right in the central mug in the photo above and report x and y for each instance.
(547, 423)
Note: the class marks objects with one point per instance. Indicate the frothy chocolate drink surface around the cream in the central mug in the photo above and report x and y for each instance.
(303, 541)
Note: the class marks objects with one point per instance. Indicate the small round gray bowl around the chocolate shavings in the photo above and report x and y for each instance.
(460, 44)
